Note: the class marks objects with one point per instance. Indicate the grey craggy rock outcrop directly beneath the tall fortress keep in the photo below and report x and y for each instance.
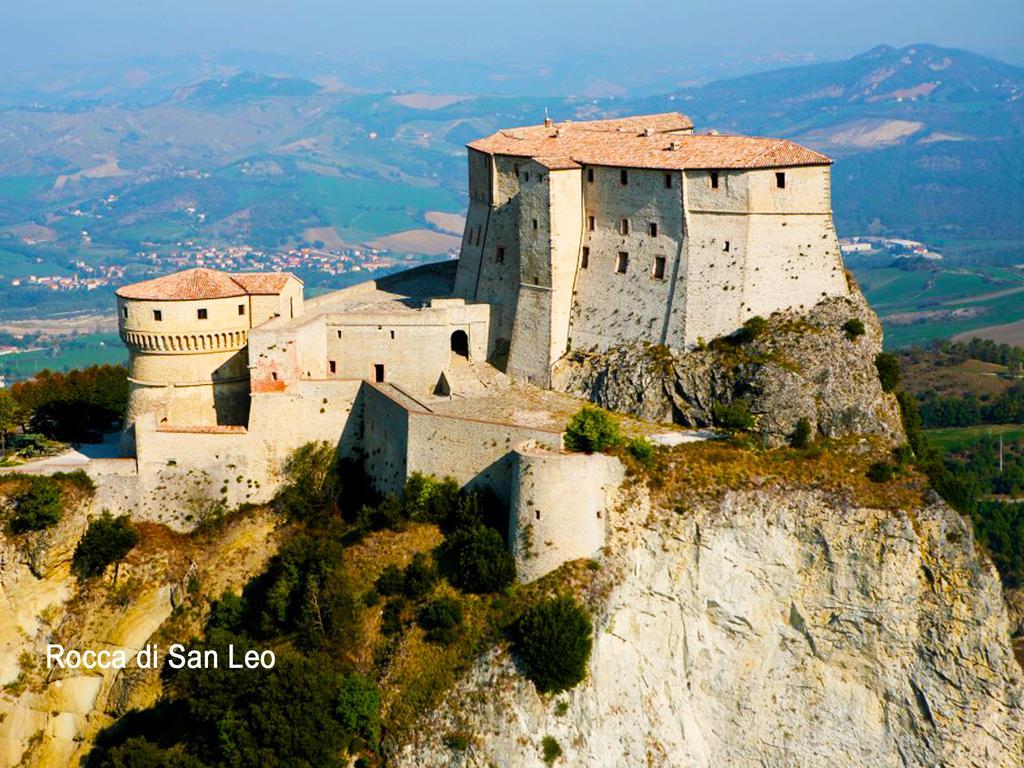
(801, 366)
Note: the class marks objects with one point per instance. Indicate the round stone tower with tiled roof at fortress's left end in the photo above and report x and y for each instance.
(187, 336)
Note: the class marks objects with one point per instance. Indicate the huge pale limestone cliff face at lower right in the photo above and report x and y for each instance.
(769, 628)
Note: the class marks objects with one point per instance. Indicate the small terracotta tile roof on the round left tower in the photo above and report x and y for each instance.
(200, 284)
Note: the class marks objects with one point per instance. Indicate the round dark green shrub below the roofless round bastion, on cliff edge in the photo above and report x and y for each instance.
(553, 642)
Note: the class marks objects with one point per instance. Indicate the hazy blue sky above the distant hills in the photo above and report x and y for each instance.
(35, 33)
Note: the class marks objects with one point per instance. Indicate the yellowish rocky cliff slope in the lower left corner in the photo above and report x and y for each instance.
(50, 717)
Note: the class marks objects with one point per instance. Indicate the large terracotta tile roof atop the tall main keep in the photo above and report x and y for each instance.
(646, 142)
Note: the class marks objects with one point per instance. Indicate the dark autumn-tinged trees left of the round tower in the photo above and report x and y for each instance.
(76, 407)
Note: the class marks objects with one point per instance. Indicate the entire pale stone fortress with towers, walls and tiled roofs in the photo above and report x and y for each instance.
(581, 235)
